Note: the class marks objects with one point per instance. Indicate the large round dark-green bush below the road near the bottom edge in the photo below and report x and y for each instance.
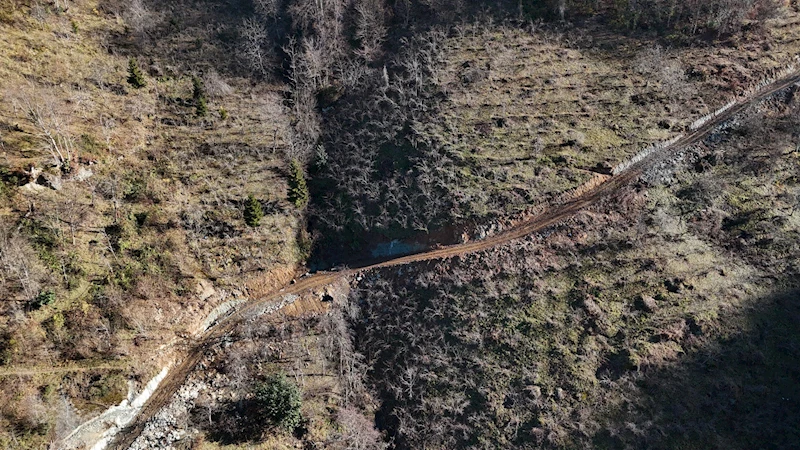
(279, 402)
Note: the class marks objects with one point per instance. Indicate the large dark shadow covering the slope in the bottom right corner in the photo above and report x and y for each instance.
(741, 391)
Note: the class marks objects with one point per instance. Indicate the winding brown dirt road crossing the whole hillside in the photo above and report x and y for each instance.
(549, 217)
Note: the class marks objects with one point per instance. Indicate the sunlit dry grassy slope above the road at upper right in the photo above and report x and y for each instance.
(532, 113)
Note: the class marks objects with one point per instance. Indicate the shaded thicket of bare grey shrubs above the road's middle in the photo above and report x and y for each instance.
(382, 173)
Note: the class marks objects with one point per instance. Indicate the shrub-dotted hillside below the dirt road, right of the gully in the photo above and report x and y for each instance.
(658, 320)
